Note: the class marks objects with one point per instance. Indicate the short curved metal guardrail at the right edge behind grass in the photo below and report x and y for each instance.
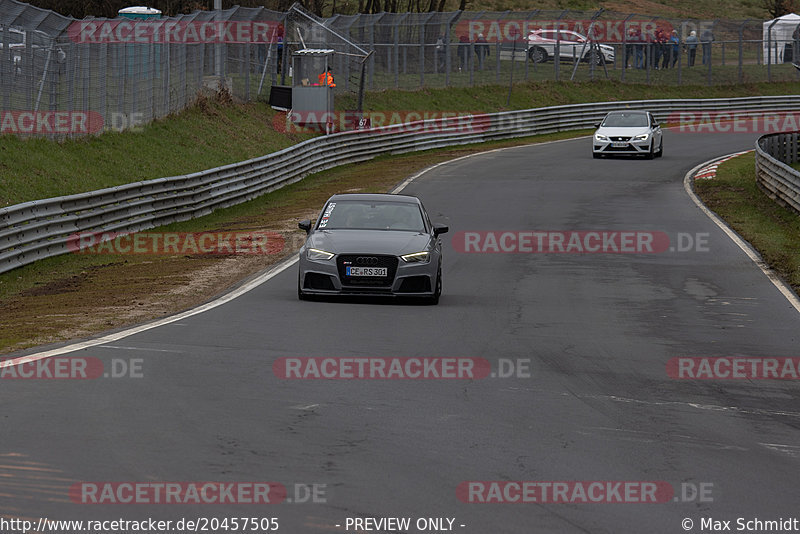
(774, 155)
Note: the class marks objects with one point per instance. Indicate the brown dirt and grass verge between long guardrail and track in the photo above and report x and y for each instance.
(75, 299)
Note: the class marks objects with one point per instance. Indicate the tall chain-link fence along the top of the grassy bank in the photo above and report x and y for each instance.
(65, 77)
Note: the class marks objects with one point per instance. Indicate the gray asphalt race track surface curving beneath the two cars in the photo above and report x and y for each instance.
(597, 403)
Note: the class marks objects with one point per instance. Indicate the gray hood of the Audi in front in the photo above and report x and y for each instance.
(369, 241)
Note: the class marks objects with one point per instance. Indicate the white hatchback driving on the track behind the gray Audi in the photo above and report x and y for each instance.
(628, 132)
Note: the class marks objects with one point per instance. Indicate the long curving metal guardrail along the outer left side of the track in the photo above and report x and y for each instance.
(40, 229)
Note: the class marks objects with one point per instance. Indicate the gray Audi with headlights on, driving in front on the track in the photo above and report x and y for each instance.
(372, 244)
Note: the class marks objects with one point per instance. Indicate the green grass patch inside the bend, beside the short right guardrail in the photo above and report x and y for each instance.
(772, 229)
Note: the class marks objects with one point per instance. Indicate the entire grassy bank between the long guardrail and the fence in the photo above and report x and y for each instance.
(215, 133)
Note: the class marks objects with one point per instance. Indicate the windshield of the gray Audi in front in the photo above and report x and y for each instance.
(371, 215)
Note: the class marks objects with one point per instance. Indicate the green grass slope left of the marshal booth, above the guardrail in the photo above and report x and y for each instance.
(207, 135)
